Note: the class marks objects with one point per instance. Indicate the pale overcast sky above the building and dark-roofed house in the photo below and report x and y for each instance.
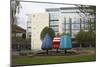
(30, 8)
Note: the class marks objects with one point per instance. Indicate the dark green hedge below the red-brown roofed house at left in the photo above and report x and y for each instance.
(19, 43)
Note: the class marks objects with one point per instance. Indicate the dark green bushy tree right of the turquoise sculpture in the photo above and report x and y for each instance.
(86, 38)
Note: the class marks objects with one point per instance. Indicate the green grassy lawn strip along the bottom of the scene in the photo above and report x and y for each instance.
(24, 60)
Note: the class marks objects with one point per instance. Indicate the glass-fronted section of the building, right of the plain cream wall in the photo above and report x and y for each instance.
(68, 20)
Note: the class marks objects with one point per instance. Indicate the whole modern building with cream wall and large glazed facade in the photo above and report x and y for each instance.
(61, 20)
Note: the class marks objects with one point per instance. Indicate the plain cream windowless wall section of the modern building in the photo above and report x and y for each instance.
(39, 21)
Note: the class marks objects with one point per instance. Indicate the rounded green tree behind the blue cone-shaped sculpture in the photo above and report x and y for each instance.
(45, 31)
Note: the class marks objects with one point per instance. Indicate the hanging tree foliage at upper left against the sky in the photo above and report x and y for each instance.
(15, 6)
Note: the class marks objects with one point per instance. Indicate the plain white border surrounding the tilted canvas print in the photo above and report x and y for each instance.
(5, 33)
